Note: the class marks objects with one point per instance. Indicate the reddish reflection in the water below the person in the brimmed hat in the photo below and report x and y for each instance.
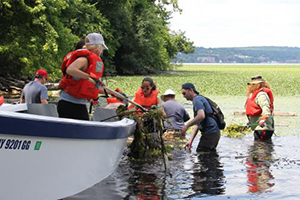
(258, 165)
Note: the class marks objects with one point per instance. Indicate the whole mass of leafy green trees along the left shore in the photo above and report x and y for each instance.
(38, 34)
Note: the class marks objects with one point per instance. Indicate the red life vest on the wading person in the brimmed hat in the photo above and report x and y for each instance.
(252, 109)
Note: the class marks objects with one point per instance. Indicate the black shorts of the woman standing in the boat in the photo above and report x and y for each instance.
(70, 110)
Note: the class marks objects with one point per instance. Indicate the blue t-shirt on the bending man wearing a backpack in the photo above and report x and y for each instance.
(208, 125)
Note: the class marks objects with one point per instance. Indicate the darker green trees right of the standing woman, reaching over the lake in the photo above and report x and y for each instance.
(144, 41)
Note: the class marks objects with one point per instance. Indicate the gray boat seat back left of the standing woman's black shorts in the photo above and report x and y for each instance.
(42, 109)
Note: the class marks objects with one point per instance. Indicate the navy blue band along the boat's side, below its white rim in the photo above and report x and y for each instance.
(43, 128)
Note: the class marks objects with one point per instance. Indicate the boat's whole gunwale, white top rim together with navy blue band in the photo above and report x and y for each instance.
(25, 124)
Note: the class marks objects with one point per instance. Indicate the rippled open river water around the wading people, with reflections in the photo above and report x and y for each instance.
(240, 169)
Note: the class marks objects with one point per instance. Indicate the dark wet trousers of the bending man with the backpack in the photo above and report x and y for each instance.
(208, 141)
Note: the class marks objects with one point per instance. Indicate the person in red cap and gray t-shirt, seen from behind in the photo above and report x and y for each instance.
(35, 91)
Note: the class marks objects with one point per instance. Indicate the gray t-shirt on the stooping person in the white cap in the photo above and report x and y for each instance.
(176, 115)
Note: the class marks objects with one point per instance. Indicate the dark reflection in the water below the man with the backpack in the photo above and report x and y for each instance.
(207, 175)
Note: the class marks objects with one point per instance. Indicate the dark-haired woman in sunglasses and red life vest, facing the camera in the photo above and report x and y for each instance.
(147, 95)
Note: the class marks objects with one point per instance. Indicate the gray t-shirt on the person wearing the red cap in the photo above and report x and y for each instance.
(33, 92)
